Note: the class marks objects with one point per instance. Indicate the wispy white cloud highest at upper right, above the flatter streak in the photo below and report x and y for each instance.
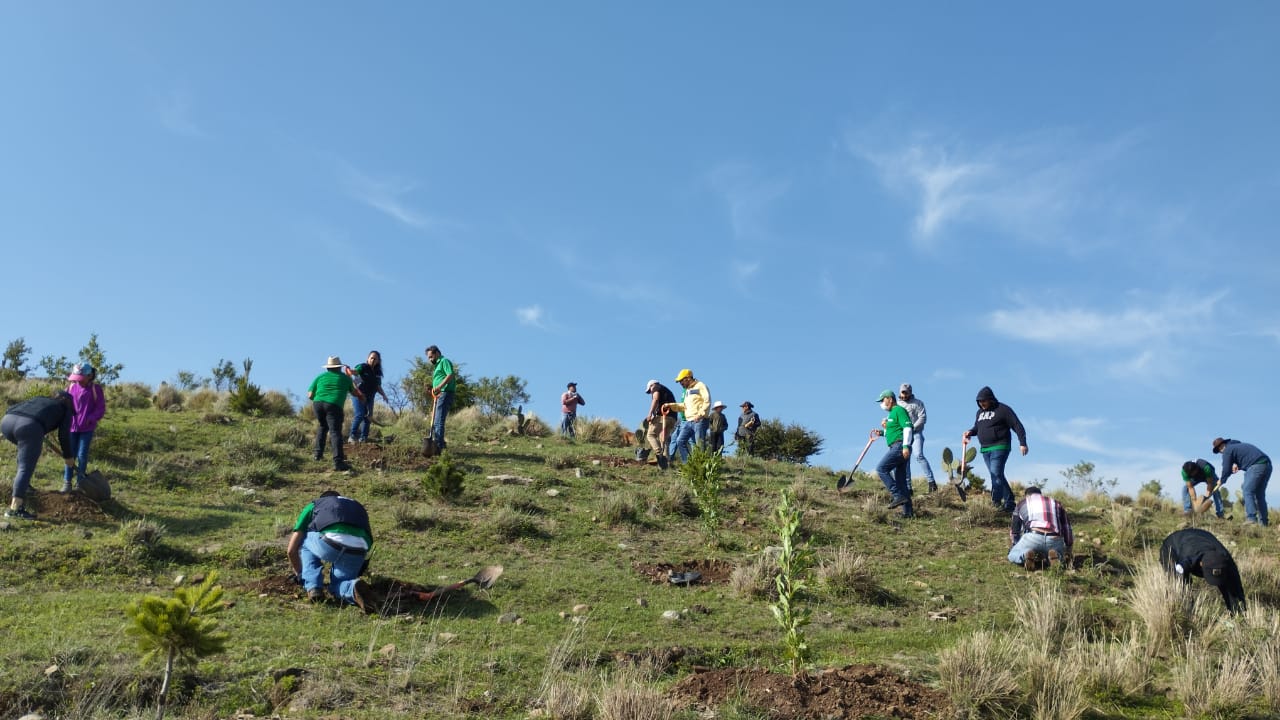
(1034, 189)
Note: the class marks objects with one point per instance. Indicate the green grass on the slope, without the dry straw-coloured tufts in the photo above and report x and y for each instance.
(225, 494)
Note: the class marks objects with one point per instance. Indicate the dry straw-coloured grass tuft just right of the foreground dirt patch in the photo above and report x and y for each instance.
(979, 675)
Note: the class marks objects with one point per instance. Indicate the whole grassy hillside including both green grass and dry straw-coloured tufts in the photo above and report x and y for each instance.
(575, 627)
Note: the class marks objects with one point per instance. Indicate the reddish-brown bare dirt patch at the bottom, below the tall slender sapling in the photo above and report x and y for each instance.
(852, 692)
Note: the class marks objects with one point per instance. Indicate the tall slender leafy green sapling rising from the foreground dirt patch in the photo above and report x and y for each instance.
(794, 563)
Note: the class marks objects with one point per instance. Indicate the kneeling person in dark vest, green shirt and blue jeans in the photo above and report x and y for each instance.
(333, 531)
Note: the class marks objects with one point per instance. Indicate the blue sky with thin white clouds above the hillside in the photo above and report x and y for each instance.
(802, 203)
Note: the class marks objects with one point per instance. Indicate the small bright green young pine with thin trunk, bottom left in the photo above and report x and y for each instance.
(179, 630)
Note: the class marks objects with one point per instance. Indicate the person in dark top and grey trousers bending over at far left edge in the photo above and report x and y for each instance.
(26, 426)
